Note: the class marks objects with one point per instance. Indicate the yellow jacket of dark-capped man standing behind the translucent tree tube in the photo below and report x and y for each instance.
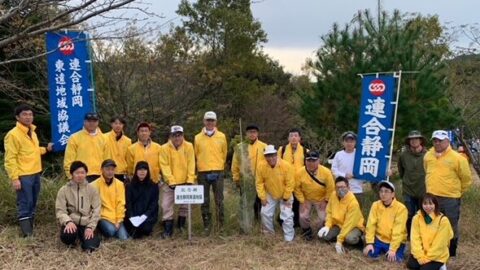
(255, 155)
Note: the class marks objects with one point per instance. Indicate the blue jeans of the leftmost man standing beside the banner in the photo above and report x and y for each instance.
(27, 196)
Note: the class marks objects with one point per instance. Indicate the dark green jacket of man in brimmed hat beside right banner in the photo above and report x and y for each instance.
(412, 172)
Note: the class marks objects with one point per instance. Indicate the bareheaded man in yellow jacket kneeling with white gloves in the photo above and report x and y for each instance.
(344, 217)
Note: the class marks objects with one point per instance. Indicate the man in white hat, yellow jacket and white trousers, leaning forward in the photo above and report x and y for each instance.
(275, 183)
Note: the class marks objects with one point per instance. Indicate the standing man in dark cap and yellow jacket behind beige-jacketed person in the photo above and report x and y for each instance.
(87, 145)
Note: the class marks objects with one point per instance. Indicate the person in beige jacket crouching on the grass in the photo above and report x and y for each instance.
(77, 209)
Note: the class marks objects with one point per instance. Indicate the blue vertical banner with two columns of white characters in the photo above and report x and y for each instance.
(70, 85)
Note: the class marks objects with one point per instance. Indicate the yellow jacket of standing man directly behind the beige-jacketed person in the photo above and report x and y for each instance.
(90, 149)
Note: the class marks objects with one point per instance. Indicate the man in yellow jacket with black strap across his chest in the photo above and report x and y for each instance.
(313, 186)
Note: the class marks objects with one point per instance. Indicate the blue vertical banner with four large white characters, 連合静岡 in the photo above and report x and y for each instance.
(375, 128)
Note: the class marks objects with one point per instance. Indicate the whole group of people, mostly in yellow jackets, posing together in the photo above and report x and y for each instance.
(116, 186)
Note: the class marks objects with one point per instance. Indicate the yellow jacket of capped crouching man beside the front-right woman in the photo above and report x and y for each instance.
(388, 224)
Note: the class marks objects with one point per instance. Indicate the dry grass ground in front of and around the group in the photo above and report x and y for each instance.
(226, 250)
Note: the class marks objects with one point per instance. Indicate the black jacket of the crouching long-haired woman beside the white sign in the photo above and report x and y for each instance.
(142, 199)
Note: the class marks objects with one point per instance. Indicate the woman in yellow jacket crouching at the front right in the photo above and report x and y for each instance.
(430, 236)
